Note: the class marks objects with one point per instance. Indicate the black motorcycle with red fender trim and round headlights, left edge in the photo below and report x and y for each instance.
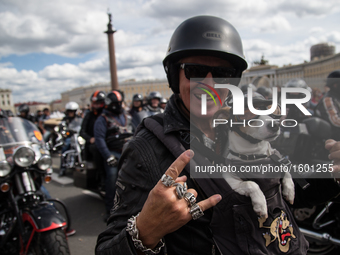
(29, 223)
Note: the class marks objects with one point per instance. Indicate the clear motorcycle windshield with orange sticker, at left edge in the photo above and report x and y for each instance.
(19, 131)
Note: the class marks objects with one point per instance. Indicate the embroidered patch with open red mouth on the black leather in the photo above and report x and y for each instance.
(280, 229)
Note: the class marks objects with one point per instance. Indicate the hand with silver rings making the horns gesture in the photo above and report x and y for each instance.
(170, 205)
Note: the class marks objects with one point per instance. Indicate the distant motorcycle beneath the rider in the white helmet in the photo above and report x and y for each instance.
(69, 135)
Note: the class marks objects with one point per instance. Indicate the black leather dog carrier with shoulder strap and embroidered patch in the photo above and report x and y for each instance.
(236, 228)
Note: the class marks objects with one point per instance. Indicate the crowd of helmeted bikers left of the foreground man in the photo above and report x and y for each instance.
(105, 126)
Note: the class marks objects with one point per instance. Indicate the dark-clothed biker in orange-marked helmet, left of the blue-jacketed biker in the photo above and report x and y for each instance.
(87, 129)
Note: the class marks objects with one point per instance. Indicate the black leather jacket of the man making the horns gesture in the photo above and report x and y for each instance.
(143, 162)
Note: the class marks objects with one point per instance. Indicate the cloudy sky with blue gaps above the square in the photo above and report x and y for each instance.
(48, 47)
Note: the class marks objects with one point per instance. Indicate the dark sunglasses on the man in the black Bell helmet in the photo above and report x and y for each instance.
(220, 74)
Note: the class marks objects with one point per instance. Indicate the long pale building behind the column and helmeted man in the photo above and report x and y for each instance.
(323, 61)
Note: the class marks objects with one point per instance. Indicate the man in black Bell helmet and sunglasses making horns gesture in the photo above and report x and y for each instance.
(154, 212)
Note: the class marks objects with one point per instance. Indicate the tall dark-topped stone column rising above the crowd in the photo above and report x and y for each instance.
(112, 56)
